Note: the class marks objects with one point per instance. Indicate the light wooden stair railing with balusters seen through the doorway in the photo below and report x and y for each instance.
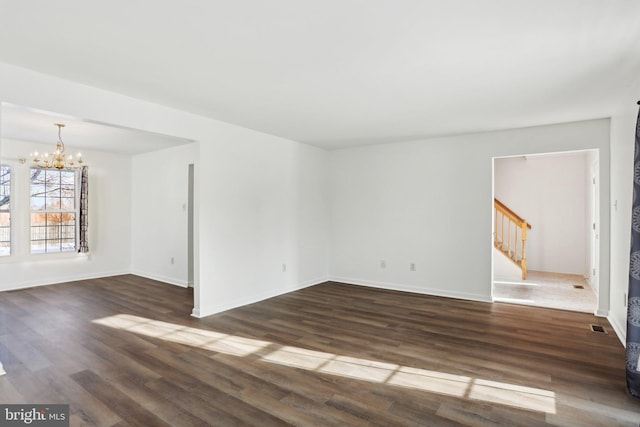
(510, 235)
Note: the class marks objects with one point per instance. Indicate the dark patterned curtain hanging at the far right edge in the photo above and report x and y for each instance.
(633, 304)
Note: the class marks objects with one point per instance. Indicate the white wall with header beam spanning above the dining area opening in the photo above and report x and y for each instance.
(259, 199)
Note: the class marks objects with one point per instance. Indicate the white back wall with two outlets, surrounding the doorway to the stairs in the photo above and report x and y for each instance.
(430, 203)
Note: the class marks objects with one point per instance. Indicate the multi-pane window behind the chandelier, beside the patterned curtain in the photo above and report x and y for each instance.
(54, 210)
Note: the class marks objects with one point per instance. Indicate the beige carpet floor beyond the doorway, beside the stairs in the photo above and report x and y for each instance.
(552, 290)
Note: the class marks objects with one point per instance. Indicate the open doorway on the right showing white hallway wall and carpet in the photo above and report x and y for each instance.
(557, 194)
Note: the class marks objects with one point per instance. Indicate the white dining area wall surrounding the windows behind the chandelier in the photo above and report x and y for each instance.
(109, 224)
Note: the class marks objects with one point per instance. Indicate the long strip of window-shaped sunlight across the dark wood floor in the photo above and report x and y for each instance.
(346, 366)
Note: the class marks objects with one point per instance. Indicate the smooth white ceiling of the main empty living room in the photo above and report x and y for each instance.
(338, 73)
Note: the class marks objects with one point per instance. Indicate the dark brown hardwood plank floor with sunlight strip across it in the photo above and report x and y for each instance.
(124, 351)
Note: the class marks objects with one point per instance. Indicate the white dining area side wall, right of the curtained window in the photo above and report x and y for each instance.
(159, 215)
